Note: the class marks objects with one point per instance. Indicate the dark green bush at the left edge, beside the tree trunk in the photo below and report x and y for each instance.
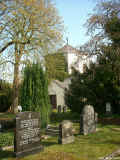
(5, 96)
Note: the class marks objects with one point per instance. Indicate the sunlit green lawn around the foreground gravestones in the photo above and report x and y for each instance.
(91, 147)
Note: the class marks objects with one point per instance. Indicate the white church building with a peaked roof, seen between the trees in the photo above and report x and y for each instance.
(75, 59)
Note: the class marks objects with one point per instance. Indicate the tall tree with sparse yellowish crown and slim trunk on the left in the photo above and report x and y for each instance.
(28, 27)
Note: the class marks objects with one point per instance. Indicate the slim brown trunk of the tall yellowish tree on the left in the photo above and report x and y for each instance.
(16, 82)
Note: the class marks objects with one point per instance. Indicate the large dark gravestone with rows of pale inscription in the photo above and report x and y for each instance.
(27, 138)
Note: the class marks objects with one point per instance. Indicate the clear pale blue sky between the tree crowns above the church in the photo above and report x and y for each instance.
(74, 14)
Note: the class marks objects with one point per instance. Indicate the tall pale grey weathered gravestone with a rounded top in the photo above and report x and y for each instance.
(88, 120)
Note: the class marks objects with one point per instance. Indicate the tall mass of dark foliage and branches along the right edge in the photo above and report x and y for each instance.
(101, 82)
